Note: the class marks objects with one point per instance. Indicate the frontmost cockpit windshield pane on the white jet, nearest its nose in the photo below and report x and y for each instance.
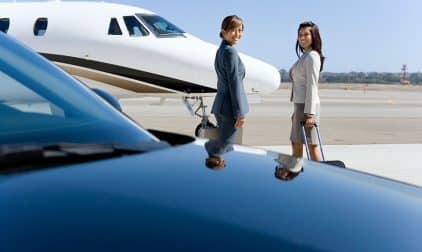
(160, 27)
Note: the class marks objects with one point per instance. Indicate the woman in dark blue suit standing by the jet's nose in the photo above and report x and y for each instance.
(230, 103)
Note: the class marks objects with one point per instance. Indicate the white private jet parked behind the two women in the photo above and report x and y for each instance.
(128, 47)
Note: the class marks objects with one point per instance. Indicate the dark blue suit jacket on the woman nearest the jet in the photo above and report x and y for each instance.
(230, 100)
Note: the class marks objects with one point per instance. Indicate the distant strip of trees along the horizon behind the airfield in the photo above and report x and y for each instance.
(361, 77)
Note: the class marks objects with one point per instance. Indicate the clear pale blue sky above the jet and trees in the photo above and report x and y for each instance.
(358, 35)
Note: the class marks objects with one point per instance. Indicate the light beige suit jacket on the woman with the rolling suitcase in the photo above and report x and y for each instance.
(305, 75)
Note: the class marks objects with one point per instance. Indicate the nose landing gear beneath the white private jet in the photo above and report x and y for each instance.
(201, 112)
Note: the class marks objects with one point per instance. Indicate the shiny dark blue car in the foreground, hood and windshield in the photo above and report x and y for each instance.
(78, 175)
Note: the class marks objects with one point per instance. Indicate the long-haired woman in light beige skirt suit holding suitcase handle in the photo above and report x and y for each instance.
(305, 74)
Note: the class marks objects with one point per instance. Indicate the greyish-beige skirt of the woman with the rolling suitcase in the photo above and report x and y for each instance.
(296, 131)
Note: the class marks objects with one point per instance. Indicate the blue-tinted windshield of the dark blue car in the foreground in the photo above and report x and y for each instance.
(39, 103)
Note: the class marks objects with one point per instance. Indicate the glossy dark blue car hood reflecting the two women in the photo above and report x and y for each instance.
(169, 199)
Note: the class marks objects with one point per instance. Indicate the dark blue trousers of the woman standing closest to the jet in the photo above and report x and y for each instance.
(227, 135)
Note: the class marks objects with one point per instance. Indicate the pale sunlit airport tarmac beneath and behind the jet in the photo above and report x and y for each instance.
(373, 128)
